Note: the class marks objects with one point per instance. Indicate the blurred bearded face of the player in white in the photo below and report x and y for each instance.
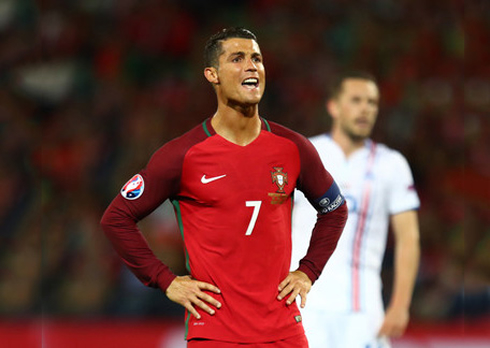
(355, 109)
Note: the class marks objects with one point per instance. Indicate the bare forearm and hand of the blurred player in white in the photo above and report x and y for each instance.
(407, 254)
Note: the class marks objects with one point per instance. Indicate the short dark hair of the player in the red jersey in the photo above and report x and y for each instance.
(213, 48)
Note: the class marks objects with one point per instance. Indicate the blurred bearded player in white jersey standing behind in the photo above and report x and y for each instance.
(345, 308)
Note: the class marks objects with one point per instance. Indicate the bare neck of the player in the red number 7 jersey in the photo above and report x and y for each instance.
(237, 127)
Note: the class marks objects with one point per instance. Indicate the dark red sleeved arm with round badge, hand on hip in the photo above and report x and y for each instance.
(152, 186)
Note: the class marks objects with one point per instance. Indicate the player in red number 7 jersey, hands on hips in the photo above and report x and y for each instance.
(231, 181)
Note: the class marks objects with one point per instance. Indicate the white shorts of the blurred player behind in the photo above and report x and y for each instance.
(354, 330)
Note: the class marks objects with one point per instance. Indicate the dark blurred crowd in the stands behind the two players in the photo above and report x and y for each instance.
(90, 89)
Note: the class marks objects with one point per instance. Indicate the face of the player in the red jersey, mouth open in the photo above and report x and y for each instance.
(240, 77)
